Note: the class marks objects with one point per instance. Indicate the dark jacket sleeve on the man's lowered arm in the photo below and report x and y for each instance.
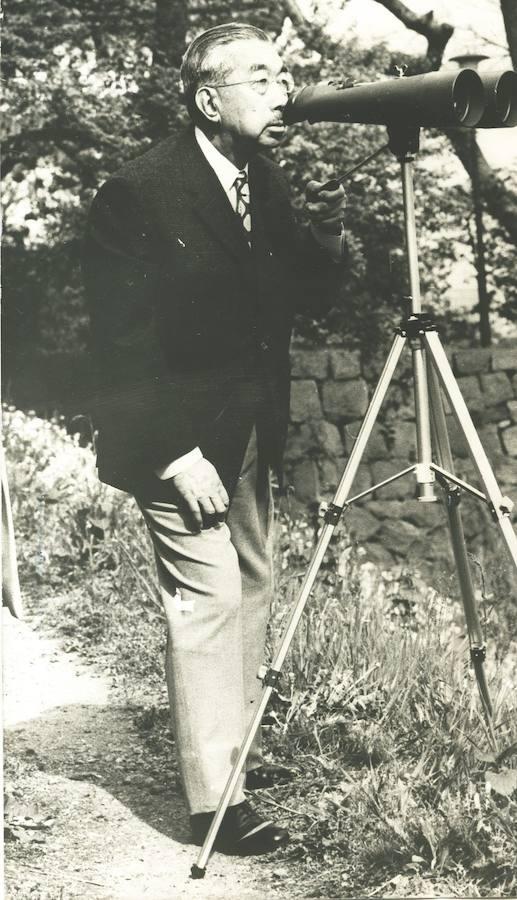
(138, 404)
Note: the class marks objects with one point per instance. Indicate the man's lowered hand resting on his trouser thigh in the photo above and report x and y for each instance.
(203, 492)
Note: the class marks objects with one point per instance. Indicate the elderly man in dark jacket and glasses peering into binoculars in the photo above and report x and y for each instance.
(194, 268)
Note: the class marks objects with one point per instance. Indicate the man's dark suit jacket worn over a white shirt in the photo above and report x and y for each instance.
(191, 329)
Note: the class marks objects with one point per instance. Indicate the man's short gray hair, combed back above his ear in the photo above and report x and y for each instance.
(198, 69)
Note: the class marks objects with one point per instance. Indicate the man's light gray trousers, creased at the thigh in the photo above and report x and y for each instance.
(216, 588)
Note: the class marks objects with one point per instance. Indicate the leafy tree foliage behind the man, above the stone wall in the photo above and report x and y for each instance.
(90, 85)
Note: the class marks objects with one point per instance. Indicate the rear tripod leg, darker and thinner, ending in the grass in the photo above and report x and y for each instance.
(443, 452)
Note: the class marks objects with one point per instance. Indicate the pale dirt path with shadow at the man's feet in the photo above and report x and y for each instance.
(83, 821)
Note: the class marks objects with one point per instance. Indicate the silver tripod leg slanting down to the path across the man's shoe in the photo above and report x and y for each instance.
(272, 674)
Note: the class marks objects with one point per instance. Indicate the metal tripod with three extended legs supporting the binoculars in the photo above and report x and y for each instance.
(431, 371)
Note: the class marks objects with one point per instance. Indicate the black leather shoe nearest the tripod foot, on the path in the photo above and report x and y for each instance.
(242, 831)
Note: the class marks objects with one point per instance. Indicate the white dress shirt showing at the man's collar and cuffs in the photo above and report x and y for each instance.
(227, 172)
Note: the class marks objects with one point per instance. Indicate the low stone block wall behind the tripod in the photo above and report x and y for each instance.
(330, 393)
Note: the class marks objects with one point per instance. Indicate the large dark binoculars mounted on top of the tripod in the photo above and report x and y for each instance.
(437, 99)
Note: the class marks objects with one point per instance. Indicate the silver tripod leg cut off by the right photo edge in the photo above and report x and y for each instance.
(498, 504)
